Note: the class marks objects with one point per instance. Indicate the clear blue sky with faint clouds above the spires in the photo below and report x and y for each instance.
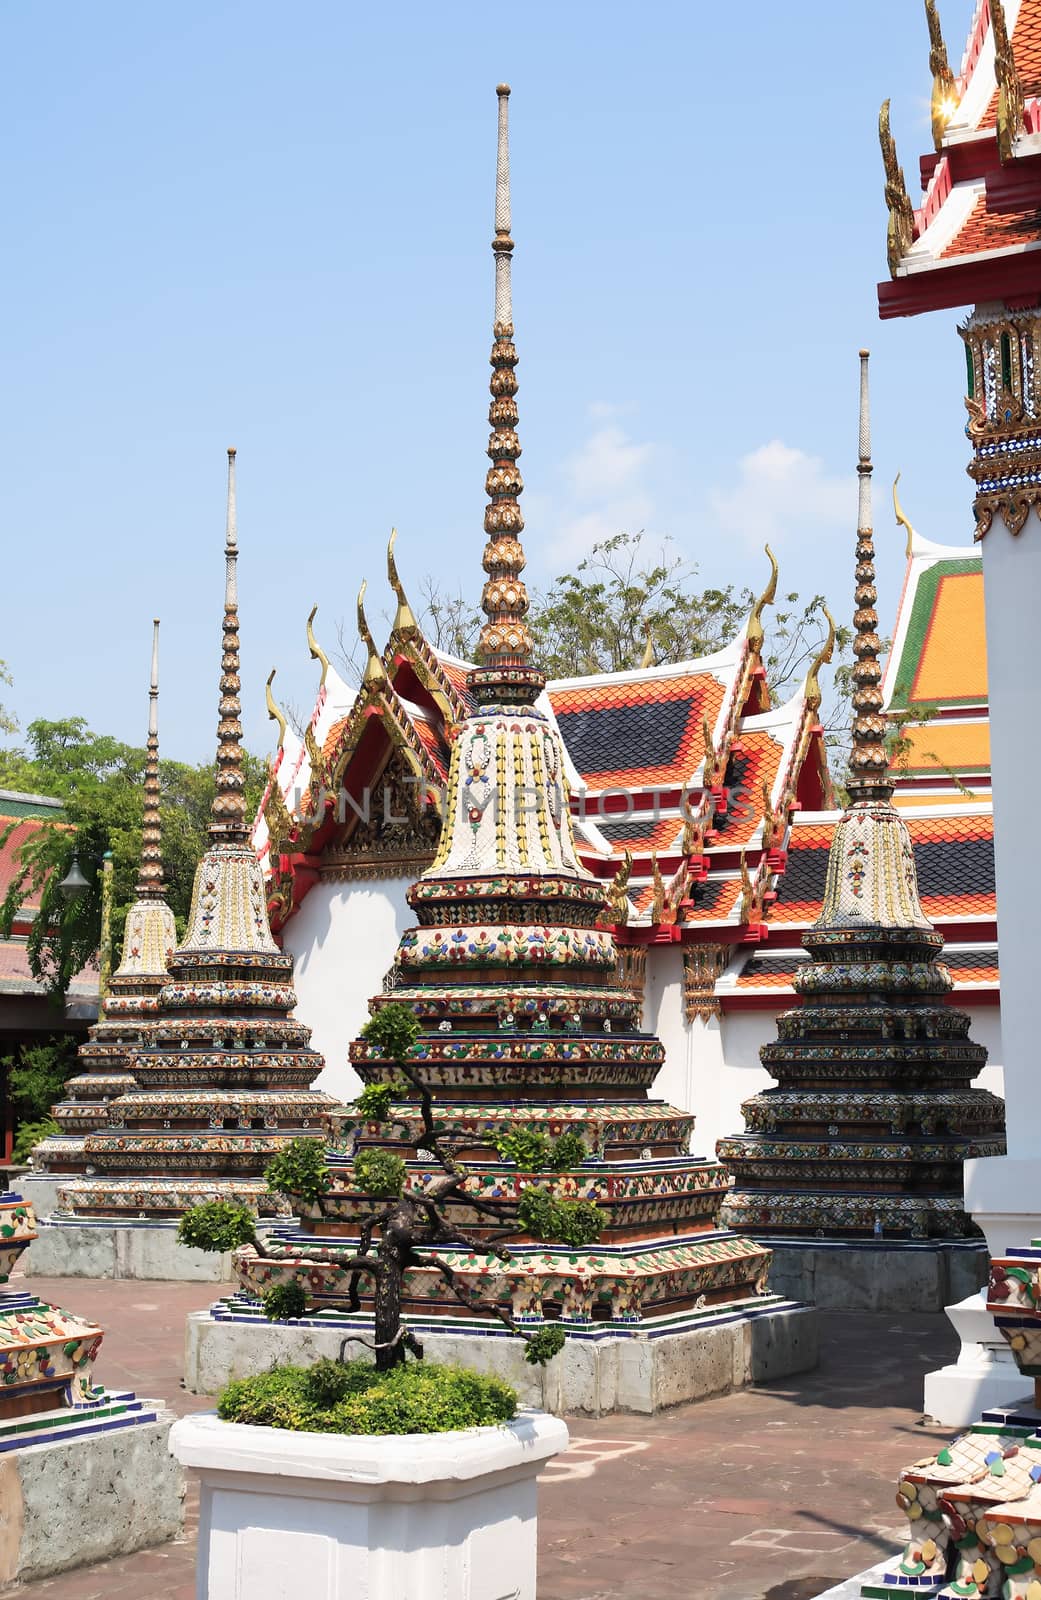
(269, 226)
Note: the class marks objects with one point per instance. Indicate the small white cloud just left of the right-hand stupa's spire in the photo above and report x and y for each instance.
(783, 492)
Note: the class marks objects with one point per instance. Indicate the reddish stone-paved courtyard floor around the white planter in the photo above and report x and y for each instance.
(770, 1495)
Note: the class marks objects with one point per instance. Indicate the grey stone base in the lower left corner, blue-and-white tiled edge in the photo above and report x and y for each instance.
(103, 1487)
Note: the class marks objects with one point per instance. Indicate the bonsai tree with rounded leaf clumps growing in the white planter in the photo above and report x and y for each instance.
(410, 1226)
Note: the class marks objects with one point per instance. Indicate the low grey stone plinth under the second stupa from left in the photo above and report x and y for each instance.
(122, 1250)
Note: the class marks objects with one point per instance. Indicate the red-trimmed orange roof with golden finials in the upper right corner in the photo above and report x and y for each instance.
(983, 186)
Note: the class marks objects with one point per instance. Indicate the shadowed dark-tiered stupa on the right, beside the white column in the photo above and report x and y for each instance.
(874, 1113)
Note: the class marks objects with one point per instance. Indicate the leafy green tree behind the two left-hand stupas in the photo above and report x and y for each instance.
(100, 783)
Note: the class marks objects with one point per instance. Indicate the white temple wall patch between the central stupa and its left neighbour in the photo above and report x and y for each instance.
(345, 938)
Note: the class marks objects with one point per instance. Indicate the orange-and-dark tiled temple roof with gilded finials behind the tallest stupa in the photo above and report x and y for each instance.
(684, 767)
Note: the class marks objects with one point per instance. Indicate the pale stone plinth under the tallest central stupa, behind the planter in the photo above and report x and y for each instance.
(599, 1372)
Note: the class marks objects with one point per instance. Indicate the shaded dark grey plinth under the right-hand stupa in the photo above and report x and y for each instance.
(877, 1274)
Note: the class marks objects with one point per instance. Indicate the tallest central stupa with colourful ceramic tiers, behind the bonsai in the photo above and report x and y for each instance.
(513, 975)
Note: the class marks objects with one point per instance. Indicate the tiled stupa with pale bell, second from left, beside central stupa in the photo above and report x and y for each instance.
(223, 1074)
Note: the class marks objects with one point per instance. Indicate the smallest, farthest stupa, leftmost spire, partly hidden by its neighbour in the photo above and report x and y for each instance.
(130, 1006)
